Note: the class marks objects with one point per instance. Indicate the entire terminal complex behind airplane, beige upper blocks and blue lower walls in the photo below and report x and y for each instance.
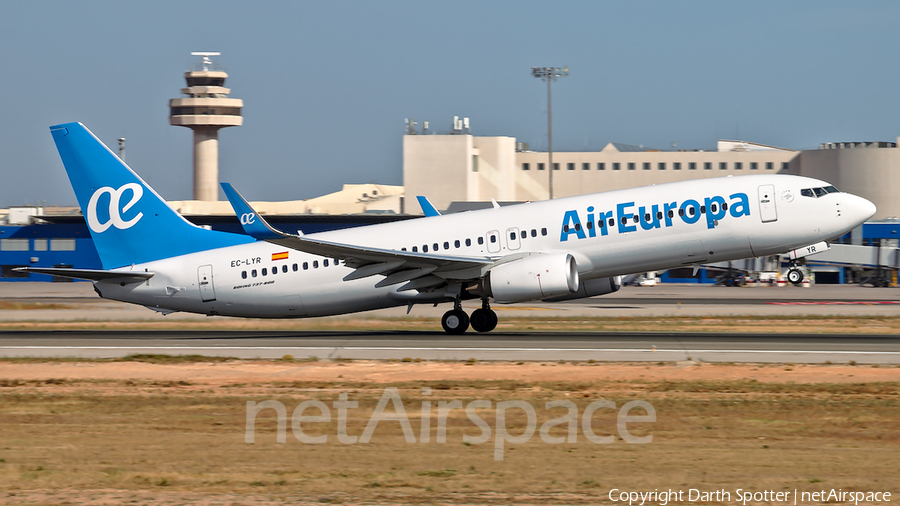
(466, 170)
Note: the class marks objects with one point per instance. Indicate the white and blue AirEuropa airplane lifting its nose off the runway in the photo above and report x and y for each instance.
(560, 249)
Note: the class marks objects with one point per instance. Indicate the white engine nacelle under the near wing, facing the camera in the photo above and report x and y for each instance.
(533, 277)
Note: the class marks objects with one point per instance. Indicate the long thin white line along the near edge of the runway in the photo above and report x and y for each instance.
(401, 348)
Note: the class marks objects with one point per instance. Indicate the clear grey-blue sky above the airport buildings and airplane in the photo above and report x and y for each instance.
(326, 85)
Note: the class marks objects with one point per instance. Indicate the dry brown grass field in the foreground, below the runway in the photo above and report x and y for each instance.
(156, 430)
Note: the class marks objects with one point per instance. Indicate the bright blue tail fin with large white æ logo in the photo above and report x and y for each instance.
(129, 222)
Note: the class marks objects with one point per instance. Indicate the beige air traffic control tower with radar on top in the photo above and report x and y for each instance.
(205, 110)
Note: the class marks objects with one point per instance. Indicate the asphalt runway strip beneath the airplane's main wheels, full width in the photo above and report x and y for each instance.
(509, 346)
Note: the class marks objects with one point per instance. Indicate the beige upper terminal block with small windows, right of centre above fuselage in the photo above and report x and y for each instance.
(459, 167)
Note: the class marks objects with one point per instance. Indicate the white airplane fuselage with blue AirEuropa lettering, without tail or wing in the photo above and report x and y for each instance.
(764, 215)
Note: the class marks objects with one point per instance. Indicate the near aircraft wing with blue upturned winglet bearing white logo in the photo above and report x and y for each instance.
(399, 266)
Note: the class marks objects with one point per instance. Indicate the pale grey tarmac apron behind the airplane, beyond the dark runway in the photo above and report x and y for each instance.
(79, 302)
